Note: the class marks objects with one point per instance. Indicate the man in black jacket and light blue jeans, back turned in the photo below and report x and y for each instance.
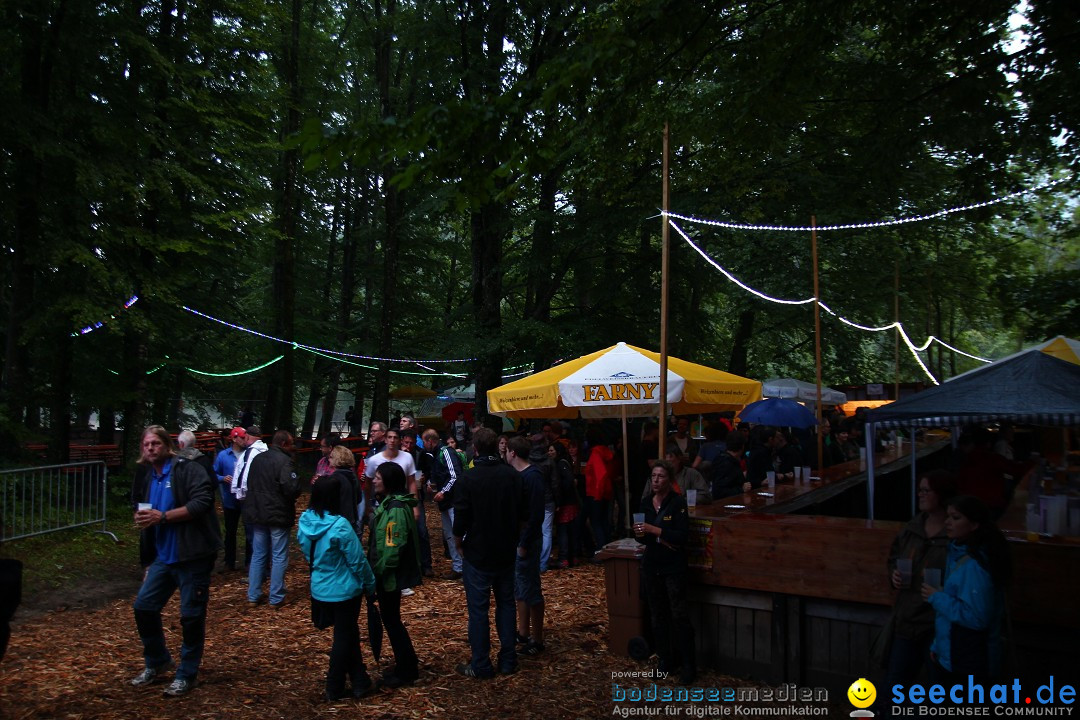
(271, 509)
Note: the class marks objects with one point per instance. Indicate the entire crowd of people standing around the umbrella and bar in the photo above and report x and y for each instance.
(514, 507)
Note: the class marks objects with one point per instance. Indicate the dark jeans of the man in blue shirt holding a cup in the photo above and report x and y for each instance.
(193, 579)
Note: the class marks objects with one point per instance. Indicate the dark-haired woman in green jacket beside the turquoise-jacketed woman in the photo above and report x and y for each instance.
(397, 566)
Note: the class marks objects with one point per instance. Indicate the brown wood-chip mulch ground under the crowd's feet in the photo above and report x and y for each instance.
(263, 663)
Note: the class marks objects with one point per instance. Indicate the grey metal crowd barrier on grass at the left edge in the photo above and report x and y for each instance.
(35, 501)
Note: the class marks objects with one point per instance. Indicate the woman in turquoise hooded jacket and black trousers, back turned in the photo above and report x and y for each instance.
(341, 576)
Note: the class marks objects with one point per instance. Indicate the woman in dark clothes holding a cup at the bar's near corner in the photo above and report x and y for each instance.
(666, 533)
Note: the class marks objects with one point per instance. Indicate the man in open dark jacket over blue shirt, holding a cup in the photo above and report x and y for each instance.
(177, 515)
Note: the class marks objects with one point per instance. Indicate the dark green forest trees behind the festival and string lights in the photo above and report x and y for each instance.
(482, 180)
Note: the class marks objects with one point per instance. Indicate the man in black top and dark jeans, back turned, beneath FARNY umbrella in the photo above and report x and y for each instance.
(489, 512)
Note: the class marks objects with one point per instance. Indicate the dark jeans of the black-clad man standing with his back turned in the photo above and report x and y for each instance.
(480, 585)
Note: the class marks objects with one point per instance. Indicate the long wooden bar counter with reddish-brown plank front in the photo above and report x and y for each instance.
(801, 599)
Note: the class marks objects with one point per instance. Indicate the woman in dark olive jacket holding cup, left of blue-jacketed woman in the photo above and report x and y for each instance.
(922, 546)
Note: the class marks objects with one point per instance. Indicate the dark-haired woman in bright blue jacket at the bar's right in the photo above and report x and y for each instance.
(970, 607)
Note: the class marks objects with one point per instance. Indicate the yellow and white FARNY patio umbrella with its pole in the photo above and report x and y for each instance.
(622, 382)
